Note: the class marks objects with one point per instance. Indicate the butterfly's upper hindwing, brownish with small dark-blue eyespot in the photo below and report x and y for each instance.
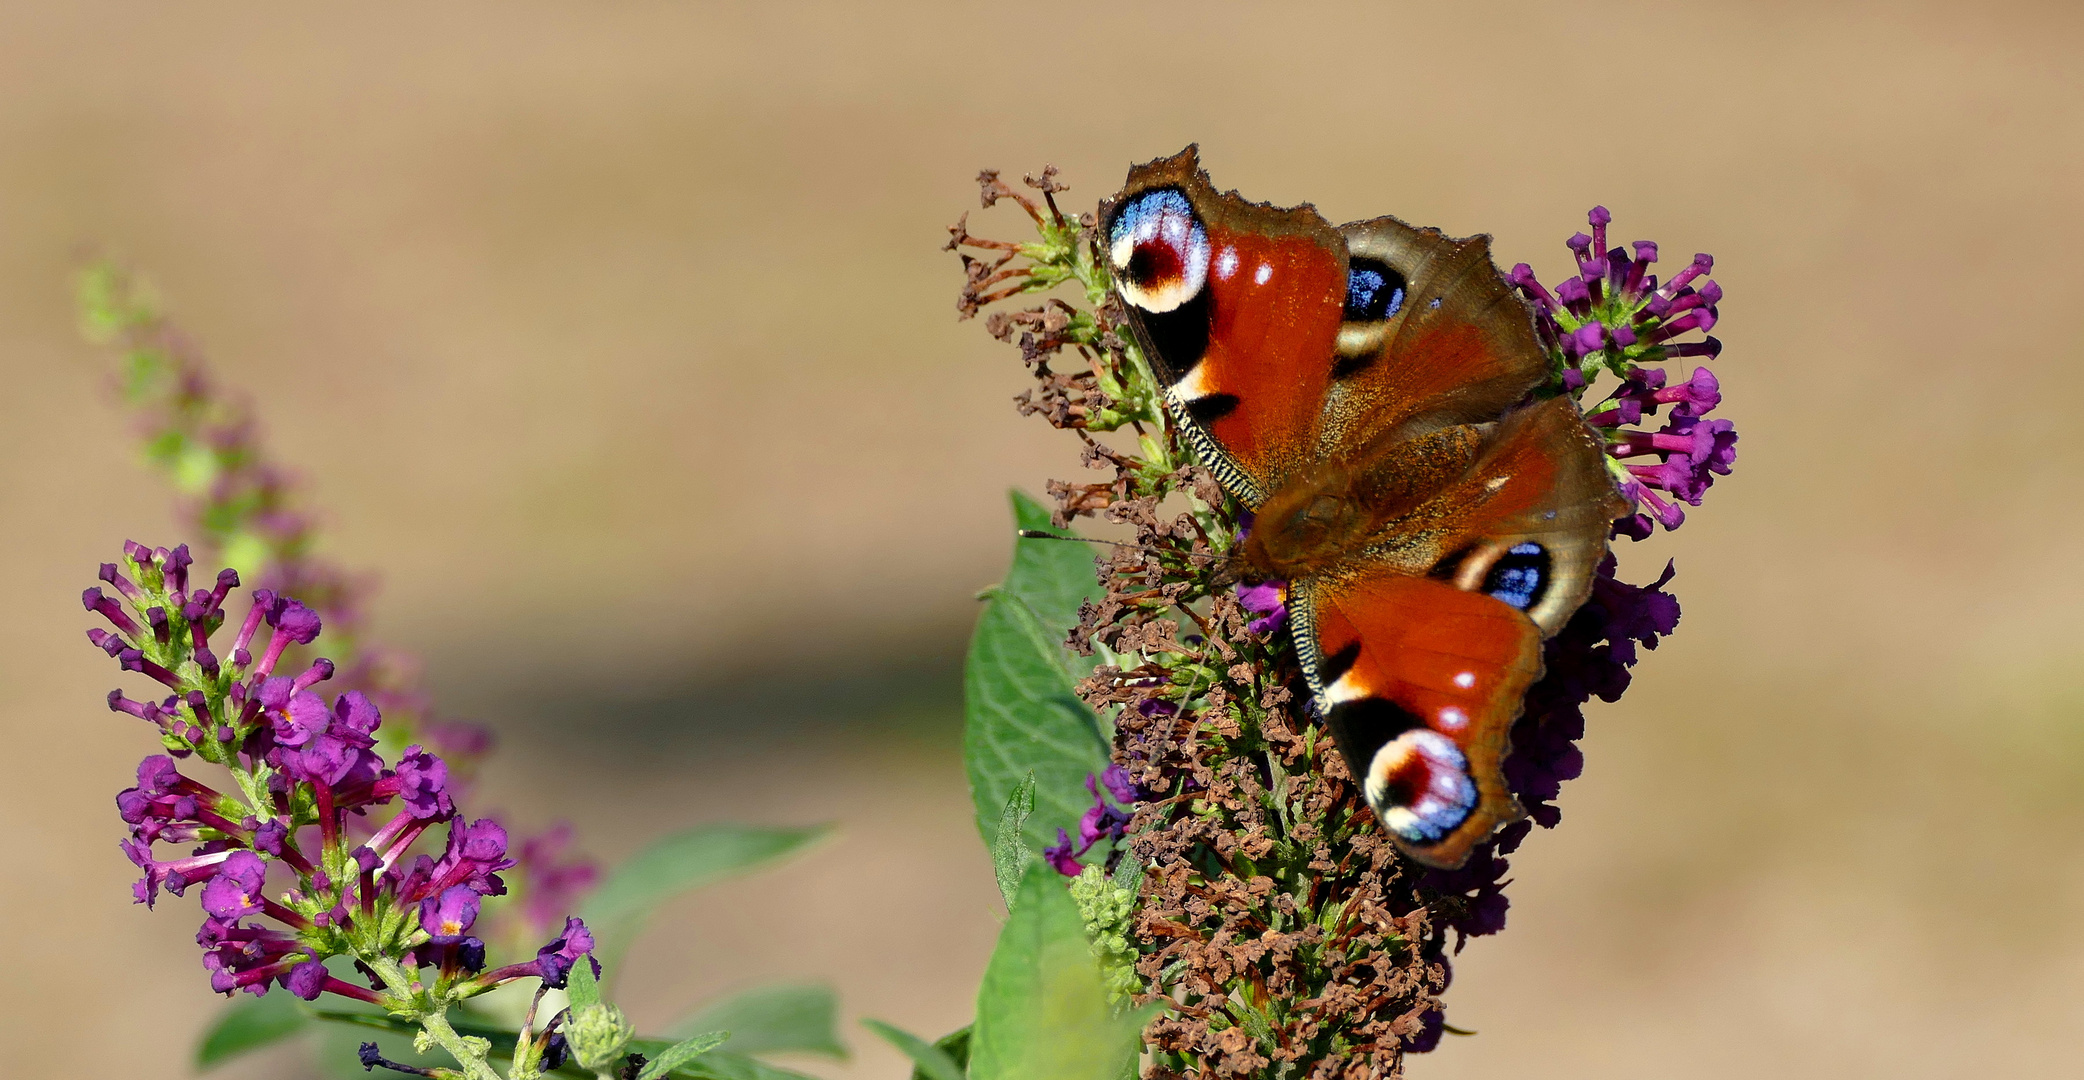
(1433, 337)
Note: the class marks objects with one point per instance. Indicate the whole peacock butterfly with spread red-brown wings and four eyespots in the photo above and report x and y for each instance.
(1370, 393)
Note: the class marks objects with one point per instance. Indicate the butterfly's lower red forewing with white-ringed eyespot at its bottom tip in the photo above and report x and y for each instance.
(1420, 685)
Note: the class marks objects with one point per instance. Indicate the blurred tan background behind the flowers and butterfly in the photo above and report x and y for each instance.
(618, 339)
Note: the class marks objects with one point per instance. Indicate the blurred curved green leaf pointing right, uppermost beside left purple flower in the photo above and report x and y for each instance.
(676, 864)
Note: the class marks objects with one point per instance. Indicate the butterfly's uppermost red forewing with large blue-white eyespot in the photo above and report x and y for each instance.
(1237, 305)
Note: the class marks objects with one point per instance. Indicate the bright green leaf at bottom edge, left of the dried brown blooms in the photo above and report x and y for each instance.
(1043, 1012)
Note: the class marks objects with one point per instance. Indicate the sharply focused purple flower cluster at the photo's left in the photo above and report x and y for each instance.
(303, 770)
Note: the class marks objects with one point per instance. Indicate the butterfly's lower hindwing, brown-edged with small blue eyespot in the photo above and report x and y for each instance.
(1531, 520)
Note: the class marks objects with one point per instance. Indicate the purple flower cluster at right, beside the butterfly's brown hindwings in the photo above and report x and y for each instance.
(1614, 316)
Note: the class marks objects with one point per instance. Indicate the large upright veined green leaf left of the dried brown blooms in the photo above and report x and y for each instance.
(1020, 710)
